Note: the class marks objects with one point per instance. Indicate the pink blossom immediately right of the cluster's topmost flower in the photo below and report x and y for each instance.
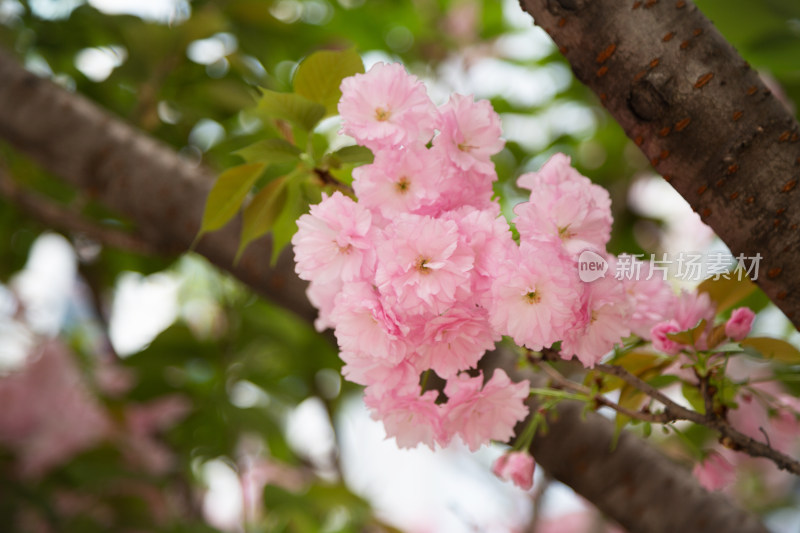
(469, 134)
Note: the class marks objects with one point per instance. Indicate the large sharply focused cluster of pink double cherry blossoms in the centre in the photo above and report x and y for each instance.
(421, 274)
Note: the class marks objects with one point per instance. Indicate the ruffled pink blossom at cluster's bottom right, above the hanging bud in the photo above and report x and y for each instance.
(479, 414)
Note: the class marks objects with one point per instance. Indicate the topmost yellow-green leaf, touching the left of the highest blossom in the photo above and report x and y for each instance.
(319, 76)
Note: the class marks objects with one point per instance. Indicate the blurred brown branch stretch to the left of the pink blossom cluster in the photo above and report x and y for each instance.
(133, 174)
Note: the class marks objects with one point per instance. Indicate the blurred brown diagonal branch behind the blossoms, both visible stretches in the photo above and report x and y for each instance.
(164, 195)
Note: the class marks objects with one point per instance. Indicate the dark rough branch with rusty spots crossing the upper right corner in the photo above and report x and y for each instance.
(702, 117)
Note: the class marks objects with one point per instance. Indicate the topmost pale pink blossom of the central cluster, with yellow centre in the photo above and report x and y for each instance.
(386, 107)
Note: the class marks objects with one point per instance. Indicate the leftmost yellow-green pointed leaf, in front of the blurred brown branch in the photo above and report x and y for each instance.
(227, 195)
